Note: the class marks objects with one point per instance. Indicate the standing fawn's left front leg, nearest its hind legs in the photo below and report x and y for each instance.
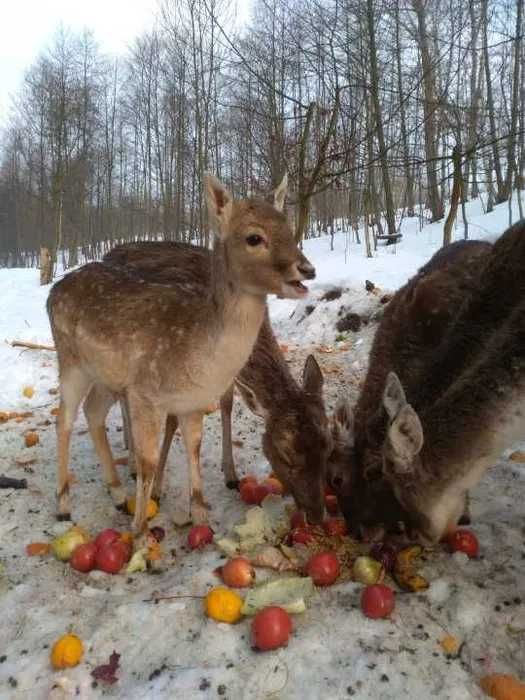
(146, 425)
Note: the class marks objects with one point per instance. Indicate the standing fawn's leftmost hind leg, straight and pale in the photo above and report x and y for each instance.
(74, 385)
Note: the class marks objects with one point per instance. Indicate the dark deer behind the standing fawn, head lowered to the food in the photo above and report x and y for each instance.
(296, 440)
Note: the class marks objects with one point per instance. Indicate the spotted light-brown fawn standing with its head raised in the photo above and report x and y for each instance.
(168, 353)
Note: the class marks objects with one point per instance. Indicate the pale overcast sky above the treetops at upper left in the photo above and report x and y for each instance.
(27, 26)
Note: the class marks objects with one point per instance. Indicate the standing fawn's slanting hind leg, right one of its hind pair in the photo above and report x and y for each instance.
(96, 409)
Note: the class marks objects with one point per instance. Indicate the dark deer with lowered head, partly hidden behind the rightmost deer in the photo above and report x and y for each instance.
(412, 335)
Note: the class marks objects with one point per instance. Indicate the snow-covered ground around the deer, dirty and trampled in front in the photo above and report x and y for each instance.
(169, 649)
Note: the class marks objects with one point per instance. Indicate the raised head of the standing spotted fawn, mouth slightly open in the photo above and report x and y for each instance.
(258, 244)
